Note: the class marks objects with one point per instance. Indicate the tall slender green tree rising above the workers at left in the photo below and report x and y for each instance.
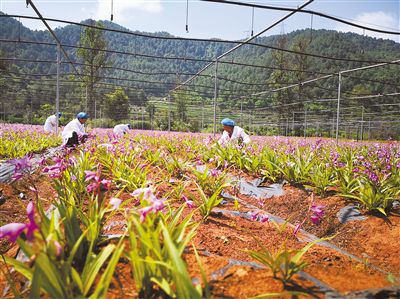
(94, 58)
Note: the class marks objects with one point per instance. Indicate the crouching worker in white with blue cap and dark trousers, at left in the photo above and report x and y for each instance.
(74, 132)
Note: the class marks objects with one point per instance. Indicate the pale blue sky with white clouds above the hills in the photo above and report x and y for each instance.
(215, 20)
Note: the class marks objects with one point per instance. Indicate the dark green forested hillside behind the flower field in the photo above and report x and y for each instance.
(140, 63)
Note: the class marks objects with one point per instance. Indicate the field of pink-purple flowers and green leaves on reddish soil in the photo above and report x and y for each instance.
(156, 214)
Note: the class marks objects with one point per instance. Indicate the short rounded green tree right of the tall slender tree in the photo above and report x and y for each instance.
(117, 104)
